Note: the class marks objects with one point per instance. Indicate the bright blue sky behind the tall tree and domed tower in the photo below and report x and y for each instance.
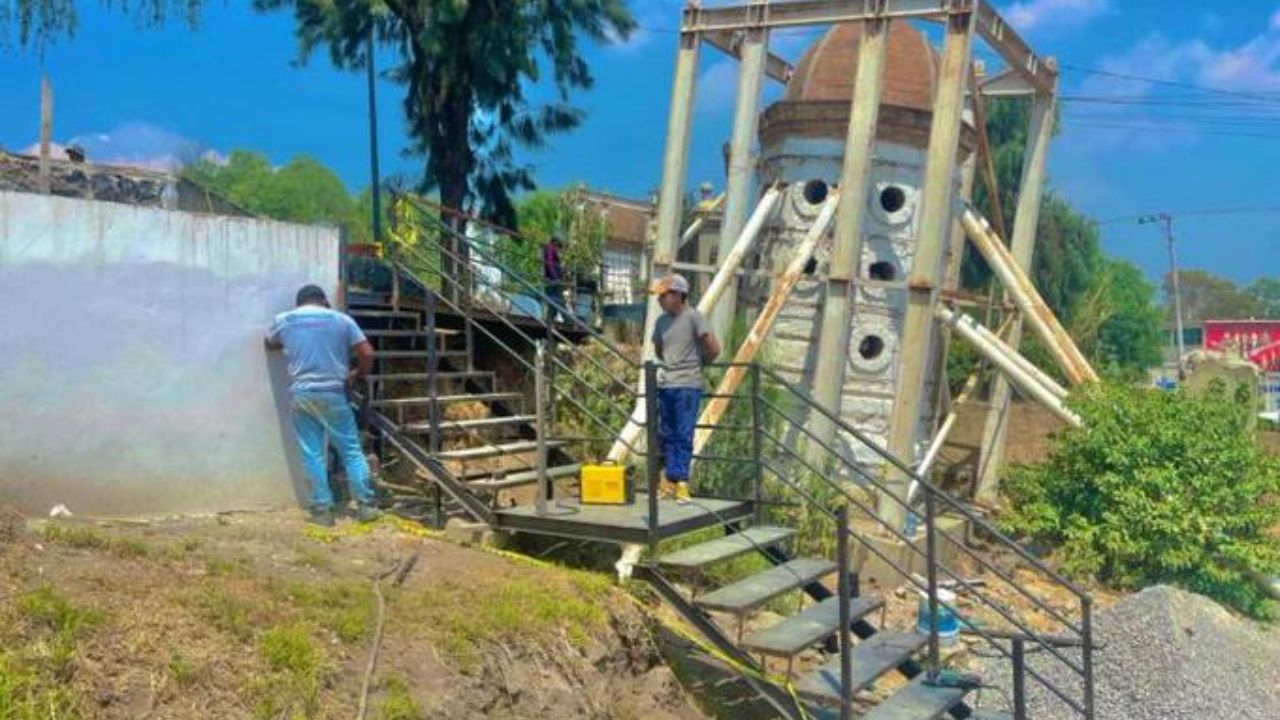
(158, 97)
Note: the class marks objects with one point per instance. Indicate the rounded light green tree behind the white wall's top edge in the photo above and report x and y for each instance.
(303, 192)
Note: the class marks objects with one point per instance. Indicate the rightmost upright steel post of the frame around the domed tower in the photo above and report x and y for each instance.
(1031, 192)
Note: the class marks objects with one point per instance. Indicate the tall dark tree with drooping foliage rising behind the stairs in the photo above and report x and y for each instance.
(468, 70)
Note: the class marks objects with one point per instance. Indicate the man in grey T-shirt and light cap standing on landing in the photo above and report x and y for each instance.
(684, 343)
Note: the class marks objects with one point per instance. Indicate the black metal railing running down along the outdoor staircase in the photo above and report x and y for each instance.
(802, 473)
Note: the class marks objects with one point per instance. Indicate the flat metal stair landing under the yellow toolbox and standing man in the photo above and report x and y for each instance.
(621, 523)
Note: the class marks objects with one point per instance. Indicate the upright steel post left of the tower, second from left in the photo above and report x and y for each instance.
(738, 188)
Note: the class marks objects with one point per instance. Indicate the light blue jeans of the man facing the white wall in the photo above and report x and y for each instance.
(323, 418)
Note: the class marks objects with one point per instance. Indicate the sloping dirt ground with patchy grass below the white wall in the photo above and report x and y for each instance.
(259, 616)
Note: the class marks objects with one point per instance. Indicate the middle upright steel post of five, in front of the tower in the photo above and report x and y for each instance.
(838, 317)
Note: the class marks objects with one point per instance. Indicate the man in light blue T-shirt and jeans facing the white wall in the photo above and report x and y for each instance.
(318, 344)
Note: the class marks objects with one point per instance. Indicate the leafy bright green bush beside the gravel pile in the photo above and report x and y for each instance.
(1158, 487)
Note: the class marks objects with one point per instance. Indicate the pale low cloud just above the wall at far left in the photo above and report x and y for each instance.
(139, 145)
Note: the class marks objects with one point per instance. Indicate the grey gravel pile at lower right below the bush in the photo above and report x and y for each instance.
(1169, 655)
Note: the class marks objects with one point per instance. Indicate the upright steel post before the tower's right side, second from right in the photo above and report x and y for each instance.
(920, 331)
